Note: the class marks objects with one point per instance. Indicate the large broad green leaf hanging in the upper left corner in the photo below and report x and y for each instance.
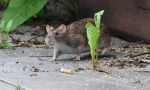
(18, 11)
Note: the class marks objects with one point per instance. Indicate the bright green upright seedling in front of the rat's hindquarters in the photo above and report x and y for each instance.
(93, 33)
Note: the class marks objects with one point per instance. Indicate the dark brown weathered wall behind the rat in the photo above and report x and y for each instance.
(128, 19)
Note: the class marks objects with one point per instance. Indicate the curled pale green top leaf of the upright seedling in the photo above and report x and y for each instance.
(97, 18)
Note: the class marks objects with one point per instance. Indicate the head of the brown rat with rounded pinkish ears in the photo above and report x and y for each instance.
(55, 34)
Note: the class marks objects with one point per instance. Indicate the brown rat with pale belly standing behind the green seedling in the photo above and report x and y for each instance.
(72, 39)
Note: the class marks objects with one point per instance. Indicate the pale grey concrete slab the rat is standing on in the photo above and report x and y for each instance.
(17, 68)
